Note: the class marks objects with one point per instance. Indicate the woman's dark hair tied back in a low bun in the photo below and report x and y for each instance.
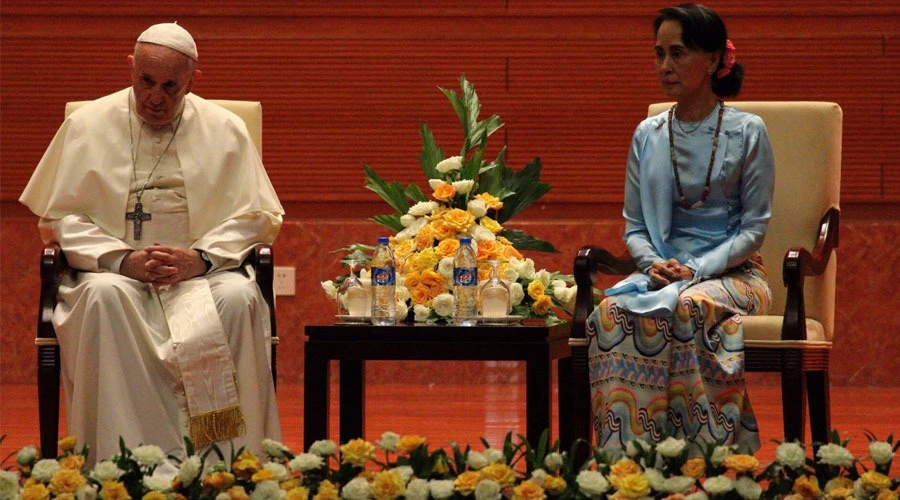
(703, 29)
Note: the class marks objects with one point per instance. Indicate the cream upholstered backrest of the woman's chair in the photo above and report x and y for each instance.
(806, 142)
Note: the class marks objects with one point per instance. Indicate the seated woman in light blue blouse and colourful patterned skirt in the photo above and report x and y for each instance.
(666, 355)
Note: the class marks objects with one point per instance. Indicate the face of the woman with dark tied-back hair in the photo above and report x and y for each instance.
(684, 73)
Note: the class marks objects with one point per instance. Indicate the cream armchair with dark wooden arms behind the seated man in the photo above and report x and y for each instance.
(53, 267)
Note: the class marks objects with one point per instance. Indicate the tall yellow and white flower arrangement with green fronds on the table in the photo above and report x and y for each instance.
(470, 196)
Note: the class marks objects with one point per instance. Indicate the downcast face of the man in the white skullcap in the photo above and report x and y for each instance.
(160, 77)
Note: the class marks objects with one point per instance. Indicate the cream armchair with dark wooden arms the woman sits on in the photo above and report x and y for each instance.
(795, 339)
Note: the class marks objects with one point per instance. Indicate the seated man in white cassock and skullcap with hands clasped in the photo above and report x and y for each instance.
(156, 196)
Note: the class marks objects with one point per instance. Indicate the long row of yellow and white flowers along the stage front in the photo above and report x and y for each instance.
(398, 466)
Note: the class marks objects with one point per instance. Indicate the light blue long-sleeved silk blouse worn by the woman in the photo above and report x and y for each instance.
(722, 233)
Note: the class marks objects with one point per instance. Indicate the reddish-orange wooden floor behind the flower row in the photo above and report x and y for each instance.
(465, 413)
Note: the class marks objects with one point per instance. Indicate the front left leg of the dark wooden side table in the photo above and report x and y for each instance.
(315, 395)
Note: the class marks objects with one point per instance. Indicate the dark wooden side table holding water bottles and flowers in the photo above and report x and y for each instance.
(353, 344)
